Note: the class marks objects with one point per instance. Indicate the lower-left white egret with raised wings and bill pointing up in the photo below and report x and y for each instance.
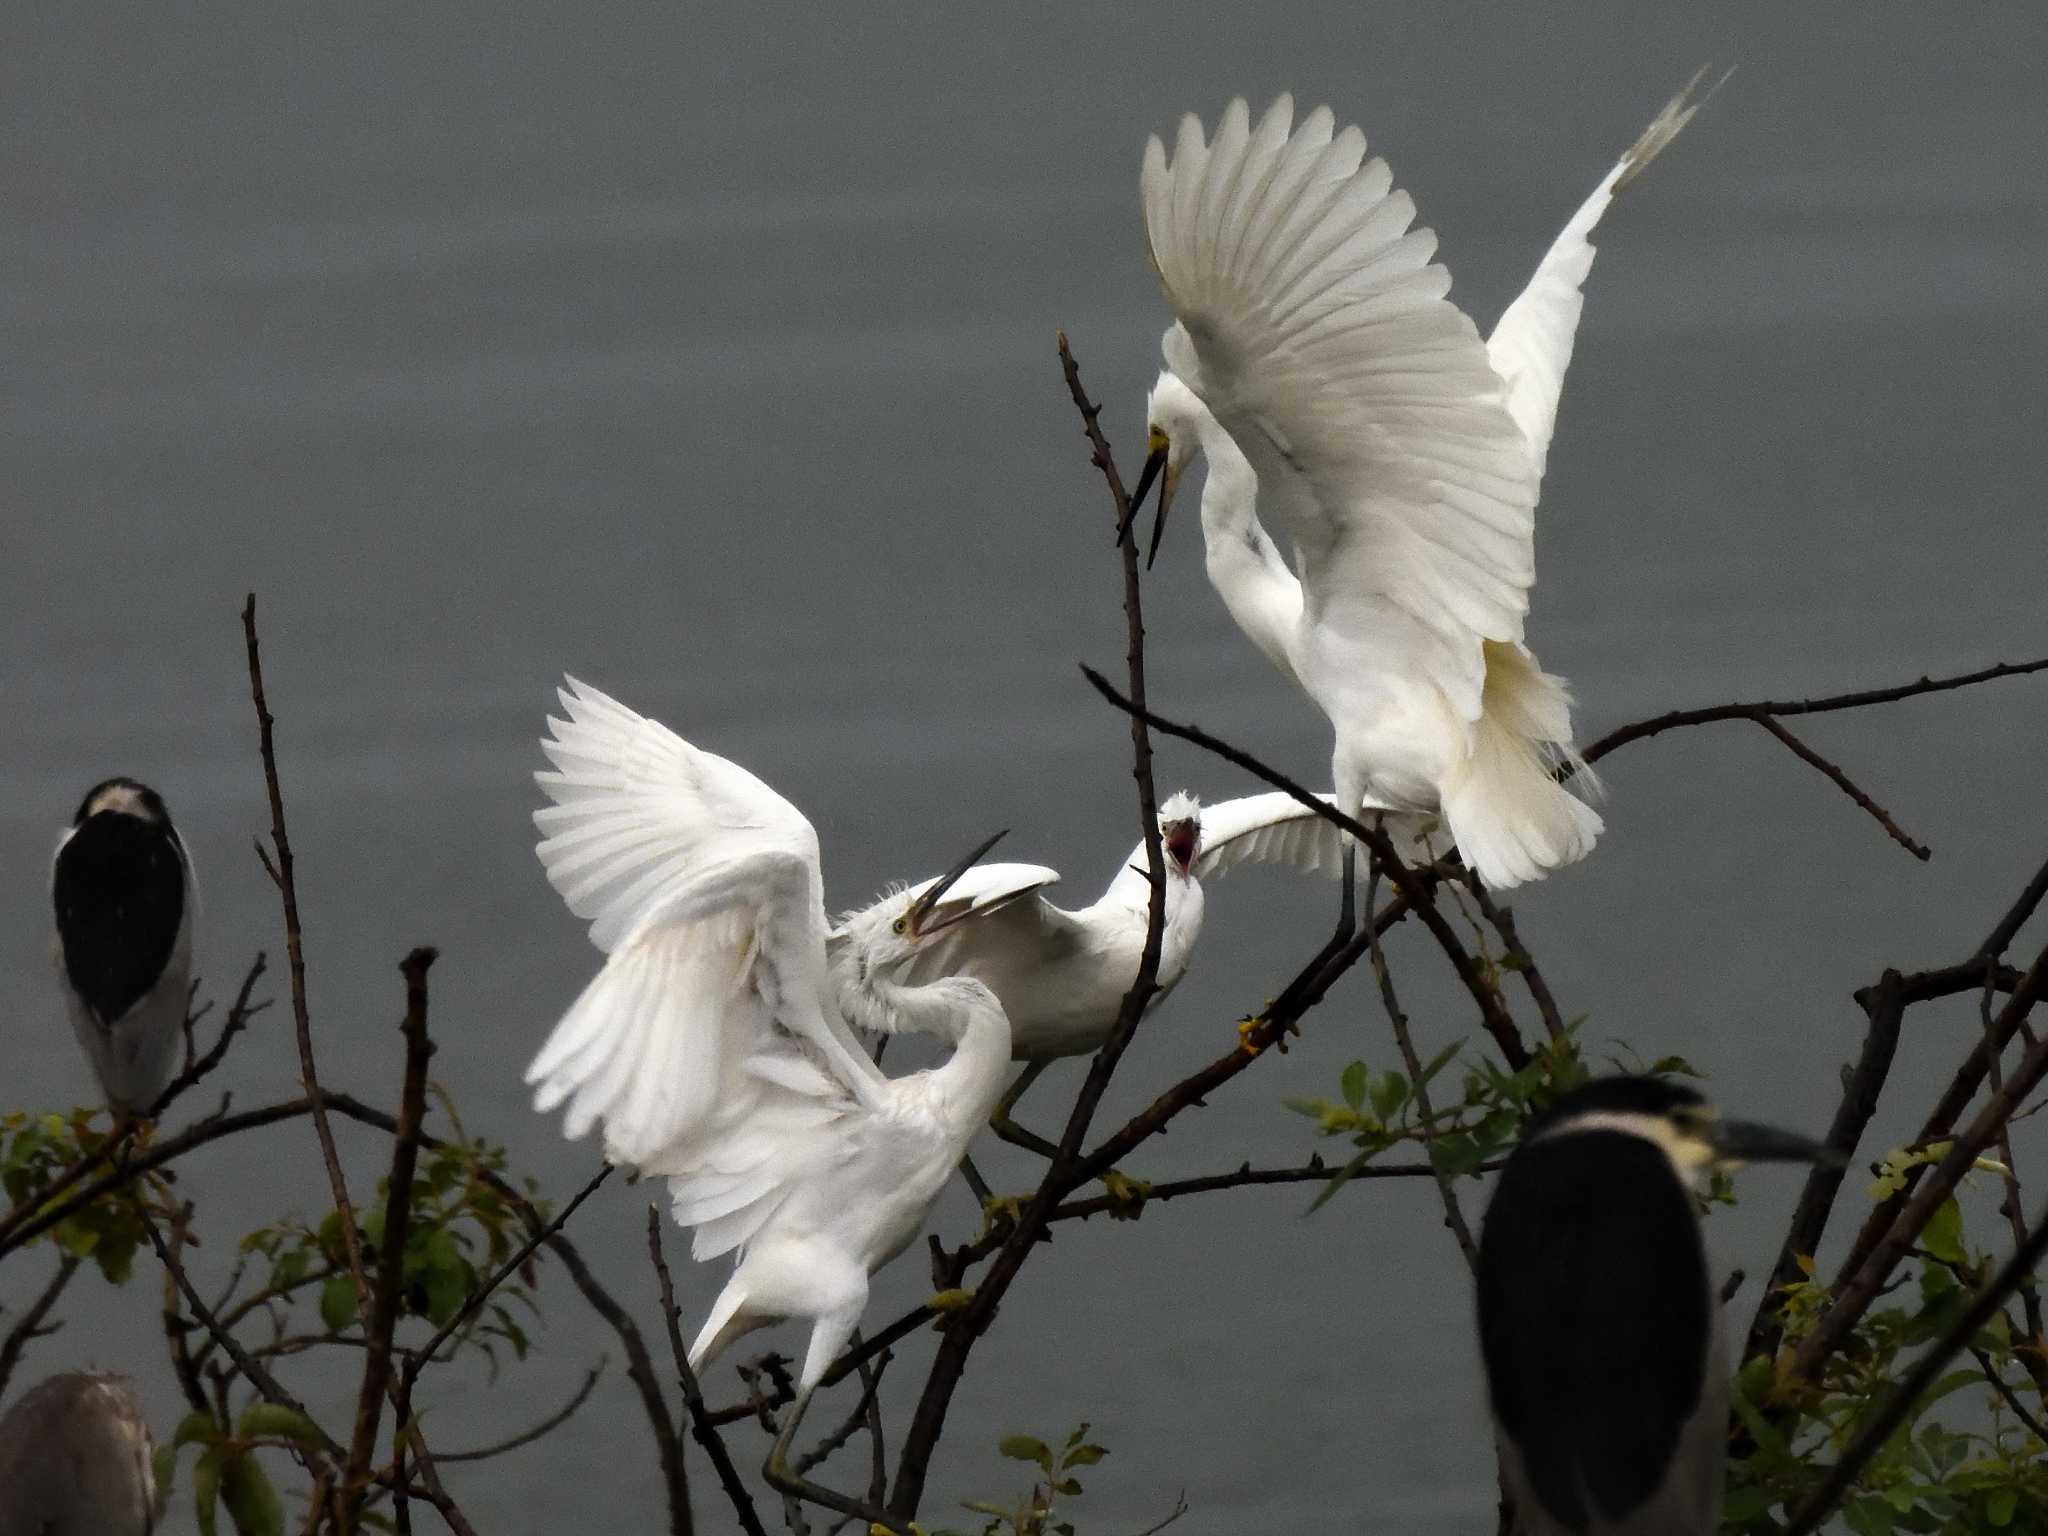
(712, 1048)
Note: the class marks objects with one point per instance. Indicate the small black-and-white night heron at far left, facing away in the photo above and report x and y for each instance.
(124, 894)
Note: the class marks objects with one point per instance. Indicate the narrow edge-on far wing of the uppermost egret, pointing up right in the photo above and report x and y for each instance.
(1531, 347)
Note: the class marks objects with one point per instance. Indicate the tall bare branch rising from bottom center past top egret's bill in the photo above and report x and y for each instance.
(964, 1328)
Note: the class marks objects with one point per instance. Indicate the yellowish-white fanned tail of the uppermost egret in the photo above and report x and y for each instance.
(1508, 814)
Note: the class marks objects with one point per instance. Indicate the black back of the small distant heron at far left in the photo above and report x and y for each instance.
(120, 894)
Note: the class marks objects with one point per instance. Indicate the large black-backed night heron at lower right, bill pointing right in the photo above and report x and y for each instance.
(1598, 1320)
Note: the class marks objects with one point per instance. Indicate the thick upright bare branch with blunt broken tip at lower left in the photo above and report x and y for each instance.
(392, 1250)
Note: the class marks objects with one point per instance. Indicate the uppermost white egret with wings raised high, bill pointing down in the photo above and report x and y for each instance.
(1349, 404)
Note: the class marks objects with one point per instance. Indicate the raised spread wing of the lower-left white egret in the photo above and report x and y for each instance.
(701, 886)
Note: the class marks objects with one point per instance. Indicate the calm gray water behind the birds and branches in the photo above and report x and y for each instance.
(710, 355)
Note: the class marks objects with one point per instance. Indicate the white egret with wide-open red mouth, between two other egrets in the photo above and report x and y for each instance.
(1062, 976)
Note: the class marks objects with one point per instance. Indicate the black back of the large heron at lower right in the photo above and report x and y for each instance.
(1592, 1318)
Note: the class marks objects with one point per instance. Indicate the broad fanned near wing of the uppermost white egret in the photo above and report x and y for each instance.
(1314, 325)
